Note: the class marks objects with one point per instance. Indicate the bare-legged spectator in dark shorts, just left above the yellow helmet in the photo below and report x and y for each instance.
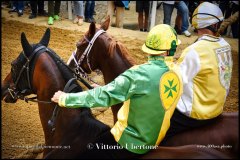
(142, 7)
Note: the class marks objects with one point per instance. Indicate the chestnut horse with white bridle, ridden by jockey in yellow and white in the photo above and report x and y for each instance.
(112, 59)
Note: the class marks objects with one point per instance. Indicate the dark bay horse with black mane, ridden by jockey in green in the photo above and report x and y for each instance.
(38, 70)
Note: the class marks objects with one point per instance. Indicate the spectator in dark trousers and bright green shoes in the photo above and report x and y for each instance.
(53, 11)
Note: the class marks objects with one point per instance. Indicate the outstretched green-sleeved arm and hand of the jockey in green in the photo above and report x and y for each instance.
(115, 92)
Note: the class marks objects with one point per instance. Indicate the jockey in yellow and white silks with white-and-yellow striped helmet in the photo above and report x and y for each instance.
(206, 69)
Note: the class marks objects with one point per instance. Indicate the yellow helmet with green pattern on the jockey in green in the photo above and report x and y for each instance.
(160, 39)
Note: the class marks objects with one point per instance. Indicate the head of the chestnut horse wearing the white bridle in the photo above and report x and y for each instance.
(83, 56)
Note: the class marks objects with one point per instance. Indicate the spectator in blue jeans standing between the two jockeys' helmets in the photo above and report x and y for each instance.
(182, 9)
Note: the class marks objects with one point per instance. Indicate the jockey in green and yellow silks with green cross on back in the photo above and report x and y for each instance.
(150, 93)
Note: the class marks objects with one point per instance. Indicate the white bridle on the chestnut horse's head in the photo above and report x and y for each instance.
(79, 70)
